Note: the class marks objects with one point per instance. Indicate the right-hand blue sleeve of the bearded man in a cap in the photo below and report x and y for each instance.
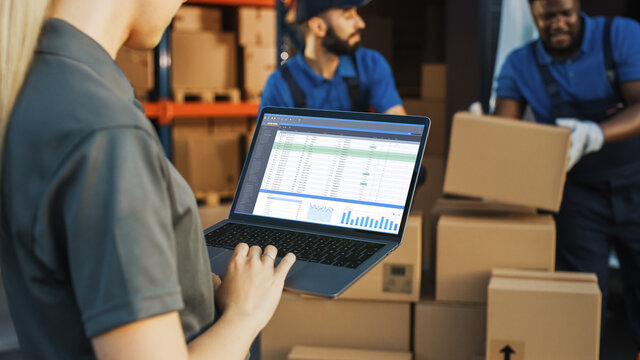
(383, 92)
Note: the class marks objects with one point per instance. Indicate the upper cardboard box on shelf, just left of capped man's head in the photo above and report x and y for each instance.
(257, 26)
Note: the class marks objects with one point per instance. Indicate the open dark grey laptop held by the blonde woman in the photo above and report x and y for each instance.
(334, 188)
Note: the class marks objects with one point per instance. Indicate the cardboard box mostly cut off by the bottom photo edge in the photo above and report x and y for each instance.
(324, 353)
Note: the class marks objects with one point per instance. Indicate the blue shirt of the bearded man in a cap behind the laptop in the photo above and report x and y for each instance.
(377, 87)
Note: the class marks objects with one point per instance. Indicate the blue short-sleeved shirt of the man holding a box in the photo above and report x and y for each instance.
(580, 78)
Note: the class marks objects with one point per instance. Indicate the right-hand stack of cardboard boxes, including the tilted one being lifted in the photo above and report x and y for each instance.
(521, 165)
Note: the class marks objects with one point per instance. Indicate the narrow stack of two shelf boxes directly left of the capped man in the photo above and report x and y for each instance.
(257, 36)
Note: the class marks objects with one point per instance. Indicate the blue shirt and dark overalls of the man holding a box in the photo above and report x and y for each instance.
(601, 204)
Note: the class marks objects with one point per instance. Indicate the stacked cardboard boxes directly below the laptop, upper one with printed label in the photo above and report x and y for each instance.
(374, 314)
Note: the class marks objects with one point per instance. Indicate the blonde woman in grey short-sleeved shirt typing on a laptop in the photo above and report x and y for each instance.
(102, 252)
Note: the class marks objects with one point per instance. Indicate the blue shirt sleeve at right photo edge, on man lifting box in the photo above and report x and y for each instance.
(625, 37)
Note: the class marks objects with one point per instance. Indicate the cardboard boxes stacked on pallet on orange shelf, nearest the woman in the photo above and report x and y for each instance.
(203, 56)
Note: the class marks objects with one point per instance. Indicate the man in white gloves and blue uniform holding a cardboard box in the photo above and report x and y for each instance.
(584, 74)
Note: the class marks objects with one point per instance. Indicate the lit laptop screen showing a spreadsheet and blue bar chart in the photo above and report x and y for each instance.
(332, 171)
